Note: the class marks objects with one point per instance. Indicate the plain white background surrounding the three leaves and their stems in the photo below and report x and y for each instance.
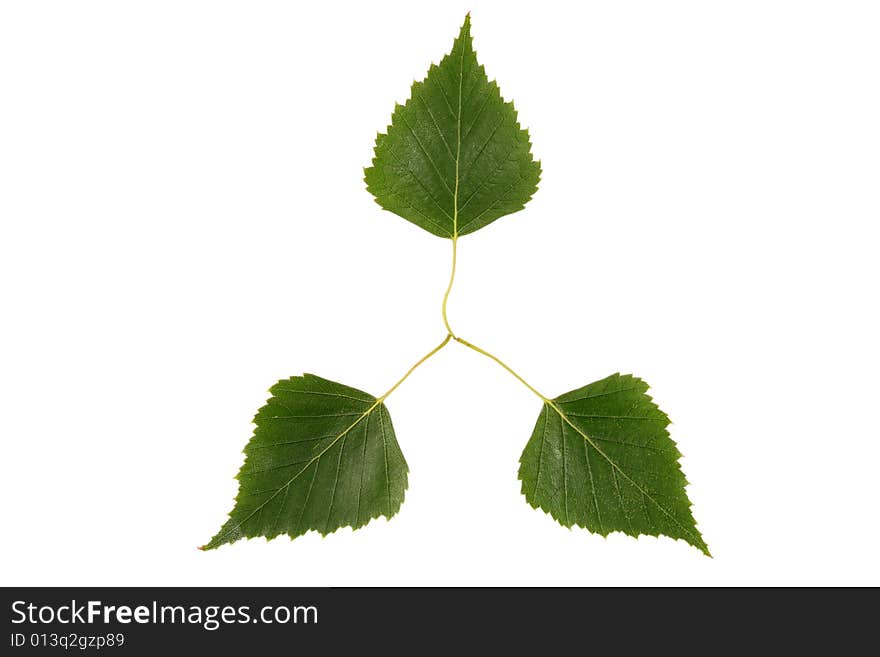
(184, 223)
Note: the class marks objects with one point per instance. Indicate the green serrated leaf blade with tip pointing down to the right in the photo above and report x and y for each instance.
(600, 457)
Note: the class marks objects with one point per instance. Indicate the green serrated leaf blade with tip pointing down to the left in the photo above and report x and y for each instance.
(323, 456)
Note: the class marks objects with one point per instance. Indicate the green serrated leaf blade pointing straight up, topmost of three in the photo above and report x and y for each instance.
(454, 158)
